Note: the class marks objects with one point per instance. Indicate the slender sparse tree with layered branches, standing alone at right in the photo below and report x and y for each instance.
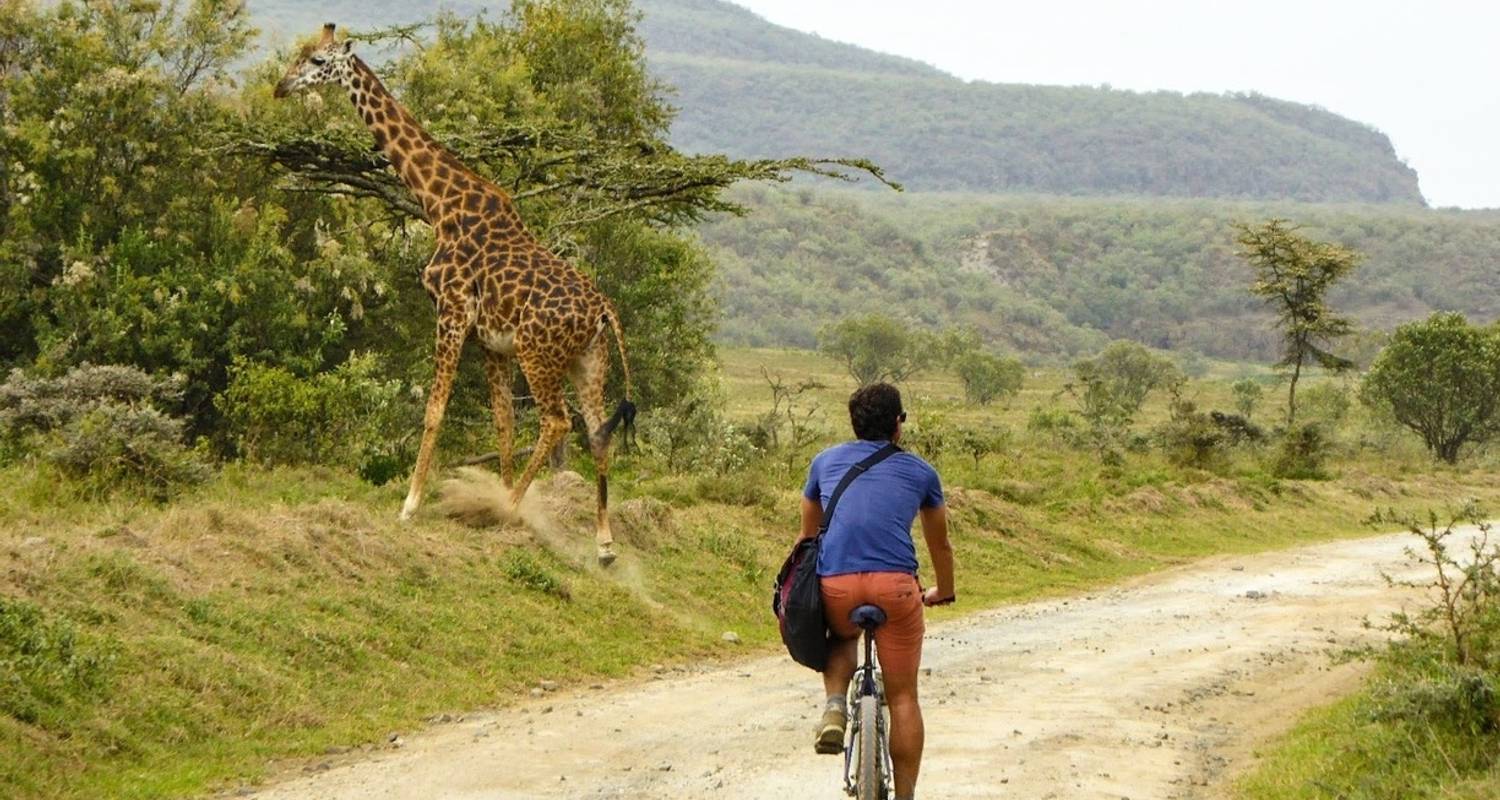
(1294, 275)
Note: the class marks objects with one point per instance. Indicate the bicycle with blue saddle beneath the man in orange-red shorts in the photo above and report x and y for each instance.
(868, 751)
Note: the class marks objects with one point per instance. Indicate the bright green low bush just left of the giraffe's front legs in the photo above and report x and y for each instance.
(349, 418)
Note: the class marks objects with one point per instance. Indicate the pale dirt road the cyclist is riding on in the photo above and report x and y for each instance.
(1153, 691)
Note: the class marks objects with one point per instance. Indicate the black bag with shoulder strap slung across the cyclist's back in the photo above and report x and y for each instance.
(799, 597)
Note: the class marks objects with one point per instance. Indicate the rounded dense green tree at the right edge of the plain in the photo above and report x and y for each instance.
(1441, 377)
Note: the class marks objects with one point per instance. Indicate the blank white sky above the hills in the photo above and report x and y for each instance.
(1426, 73)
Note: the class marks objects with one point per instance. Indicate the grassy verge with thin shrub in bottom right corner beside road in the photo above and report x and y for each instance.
(1427, 723)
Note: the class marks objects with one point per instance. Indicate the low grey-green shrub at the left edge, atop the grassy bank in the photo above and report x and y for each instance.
(104, 427)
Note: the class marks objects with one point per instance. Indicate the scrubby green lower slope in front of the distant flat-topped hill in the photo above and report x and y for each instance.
(1063, 275)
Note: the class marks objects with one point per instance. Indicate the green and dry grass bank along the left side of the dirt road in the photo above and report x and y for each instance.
(269, 616)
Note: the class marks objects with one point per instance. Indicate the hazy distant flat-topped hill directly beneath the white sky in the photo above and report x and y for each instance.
(748, 88)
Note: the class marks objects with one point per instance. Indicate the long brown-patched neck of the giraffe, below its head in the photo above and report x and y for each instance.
(430, 170)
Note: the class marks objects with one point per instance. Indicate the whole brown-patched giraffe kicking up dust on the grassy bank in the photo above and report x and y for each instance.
(493, 280)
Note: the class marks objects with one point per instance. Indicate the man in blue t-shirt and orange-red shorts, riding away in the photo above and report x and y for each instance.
(868, 558)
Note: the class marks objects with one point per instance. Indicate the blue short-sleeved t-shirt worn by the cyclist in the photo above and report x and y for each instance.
(872, 528)
